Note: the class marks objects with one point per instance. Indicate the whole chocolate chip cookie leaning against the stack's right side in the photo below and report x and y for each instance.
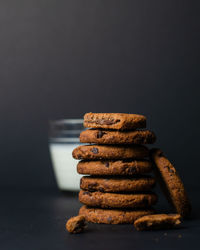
(171, 183)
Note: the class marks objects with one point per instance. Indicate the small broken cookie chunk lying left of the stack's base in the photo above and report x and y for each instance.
(76, 224)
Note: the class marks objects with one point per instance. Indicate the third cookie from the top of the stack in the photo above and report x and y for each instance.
(90, 152)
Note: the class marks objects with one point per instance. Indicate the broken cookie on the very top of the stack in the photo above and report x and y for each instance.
(117, 121)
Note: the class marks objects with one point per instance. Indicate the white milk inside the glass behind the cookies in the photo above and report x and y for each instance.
(65, 166)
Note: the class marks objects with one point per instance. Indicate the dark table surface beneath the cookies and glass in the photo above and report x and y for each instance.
(35, 219)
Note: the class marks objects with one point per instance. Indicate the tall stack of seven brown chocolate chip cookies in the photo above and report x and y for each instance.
(118, 189)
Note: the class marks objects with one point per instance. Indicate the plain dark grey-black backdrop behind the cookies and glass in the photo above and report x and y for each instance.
(61, 59)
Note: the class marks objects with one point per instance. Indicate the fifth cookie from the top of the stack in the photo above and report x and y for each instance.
(117, 184)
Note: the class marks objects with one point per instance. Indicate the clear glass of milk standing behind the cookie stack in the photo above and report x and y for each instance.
(63, 138)
